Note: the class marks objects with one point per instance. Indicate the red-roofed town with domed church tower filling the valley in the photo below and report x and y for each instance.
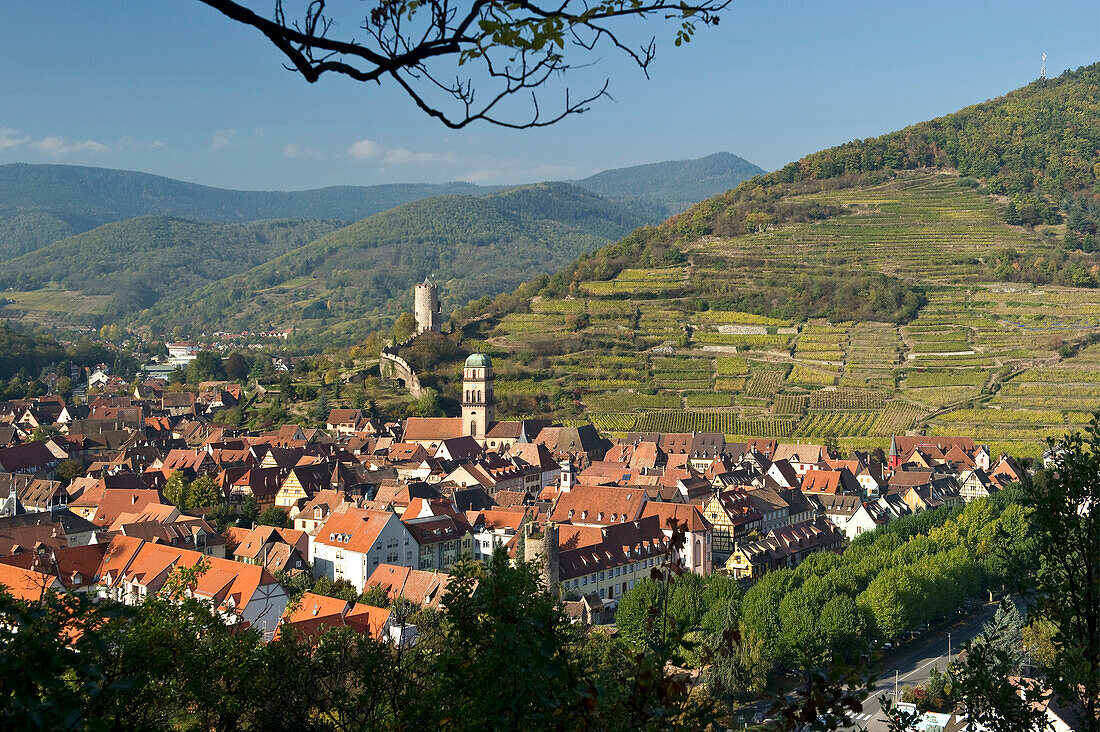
(356, 525)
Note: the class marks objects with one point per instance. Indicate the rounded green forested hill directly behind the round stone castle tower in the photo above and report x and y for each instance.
(359, 278)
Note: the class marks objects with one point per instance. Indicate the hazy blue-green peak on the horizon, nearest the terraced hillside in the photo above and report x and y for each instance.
(673, 187)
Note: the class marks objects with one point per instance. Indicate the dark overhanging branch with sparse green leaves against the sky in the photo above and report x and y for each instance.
(513, 49)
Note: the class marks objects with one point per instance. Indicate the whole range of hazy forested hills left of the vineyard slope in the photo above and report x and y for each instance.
(188, 253)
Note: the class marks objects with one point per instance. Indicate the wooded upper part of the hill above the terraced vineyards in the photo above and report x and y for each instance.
(1038, 148)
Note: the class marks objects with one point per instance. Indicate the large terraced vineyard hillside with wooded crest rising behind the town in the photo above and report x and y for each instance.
(974, 362)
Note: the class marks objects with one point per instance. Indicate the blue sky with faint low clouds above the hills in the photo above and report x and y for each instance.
(178, 90)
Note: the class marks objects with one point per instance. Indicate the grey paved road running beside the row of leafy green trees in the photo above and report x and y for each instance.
(912, 663)
